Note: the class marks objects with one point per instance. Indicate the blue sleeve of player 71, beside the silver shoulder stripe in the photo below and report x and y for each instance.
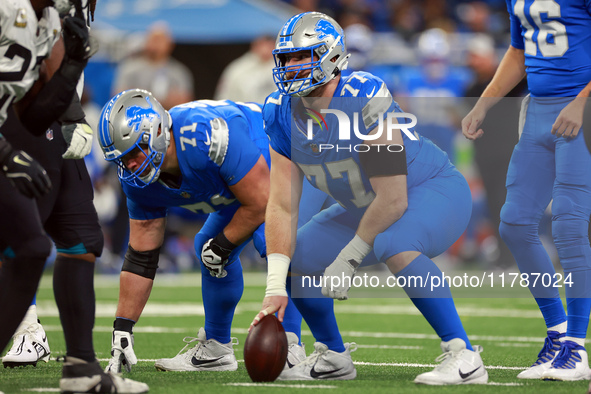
(242, 153)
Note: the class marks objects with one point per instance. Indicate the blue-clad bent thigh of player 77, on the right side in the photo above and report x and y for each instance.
(438, 212)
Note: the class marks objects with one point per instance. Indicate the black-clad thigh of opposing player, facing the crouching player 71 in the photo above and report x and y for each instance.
(73, 222)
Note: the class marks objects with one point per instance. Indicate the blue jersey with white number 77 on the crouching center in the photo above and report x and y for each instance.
(337, 172)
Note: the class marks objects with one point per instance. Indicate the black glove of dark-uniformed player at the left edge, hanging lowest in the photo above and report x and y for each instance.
(23, 171)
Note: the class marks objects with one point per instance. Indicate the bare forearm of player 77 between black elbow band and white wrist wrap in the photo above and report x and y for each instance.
(381, 214)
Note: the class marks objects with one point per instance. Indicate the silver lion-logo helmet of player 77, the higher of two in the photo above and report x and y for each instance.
(324, 38)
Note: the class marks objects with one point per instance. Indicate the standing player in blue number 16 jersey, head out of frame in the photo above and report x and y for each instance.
(551, 43)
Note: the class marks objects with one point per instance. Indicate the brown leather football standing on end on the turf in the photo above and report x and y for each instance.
(265, 350)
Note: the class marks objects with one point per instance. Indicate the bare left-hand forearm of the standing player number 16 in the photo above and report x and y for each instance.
(510, 72)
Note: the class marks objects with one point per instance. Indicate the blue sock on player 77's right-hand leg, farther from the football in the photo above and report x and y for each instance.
(438, 306)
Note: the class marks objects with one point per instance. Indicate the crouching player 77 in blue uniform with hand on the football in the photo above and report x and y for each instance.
(390, 207)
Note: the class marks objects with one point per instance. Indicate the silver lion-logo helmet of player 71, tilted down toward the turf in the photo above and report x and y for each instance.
(135, 119)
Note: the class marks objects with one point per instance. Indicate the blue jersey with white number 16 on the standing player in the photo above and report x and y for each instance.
(556, 38)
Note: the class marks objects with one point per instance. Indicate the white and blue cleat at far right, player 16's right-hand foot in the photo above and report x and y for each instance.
(571, 364)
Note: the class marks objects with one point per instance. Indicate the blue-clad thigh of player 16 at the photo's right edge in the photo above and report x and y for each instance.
(572, 189)
